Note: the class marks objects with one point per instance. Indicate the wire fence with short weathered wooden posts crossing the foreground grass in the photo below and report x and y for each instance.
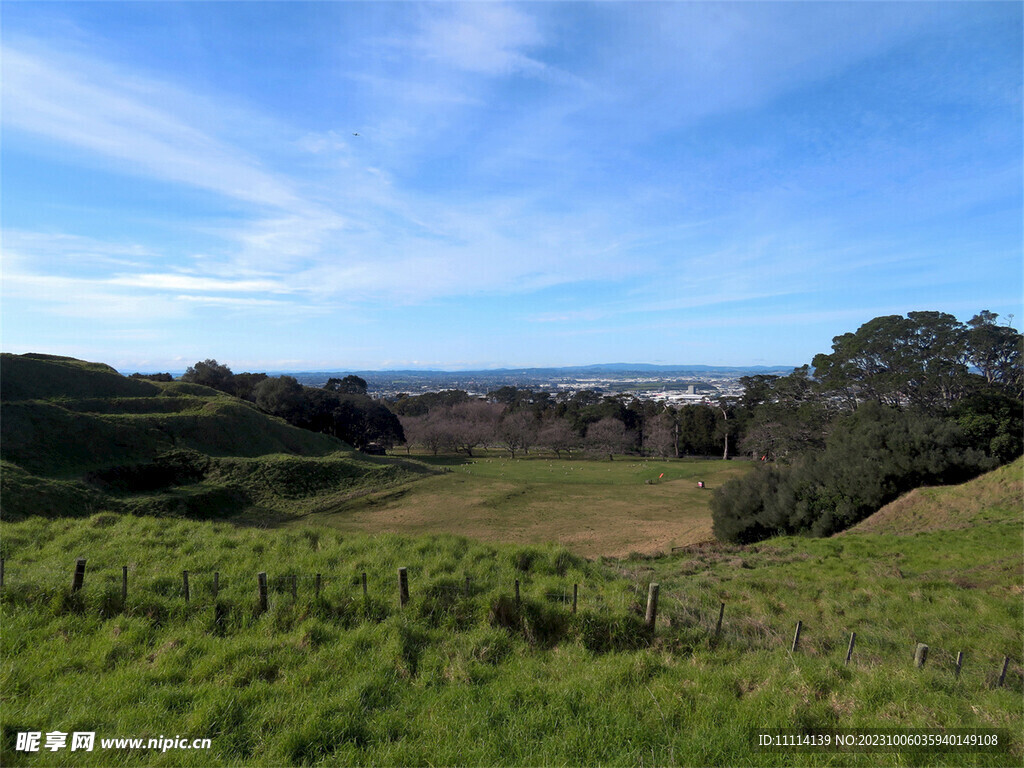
(668, 617)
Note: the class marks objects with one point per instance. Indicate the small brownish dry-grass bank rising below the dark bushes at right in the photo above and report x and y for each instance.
(998, 496)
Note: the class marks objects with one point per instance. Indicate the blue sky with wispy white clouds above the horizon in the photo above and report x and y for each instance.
(532, 185)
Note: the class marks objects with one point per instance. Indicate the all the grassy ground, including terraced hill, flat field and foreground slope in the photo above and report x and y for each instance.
(465, 672)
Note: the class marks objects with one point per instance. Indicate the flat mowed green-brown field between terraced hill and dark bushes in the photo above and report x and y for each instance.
(592, 507)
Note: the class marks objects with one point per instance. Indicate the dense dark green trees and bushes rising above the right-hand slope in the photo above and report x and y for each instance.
(904, 402)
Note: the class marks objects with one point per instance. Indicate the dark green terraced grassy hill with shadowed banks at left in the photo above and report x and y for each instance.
(77, 438)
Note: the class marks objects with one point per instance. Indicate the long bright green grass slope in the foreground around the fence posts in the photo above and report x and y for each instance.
(457, 681)
